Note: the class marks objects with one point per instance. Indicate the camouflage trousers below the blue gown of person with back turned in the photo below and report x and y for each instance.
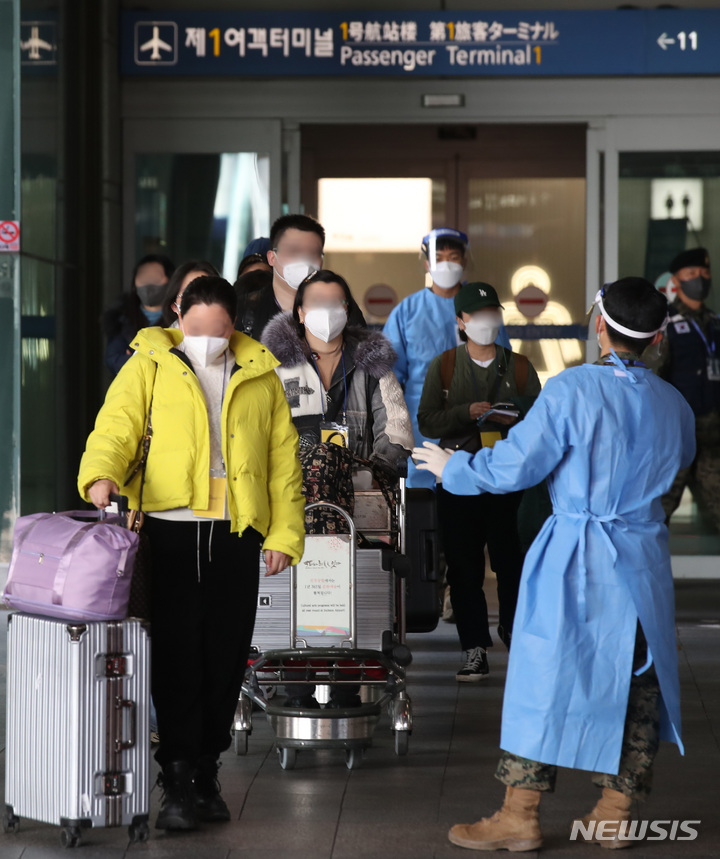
(640, 742)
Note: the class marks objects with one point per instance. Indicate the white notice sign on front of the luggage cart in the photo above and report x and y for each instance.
(323, 587)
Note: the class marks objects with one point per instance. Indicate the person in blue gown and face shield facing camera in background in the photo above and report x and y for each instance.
(424, 324)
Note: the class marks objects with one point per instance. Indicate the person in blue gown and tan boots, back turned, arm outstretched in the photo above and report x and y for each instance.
(592, 680)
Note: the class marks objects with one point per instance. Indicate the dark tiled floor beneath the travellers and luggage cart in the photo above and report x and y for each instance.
(403, 807)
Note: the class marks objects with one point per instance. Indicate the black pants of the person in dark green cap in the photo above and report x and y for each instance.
(467, 524)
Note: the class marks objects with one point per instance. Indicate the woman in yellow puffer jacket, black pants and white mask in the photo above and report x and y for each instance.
(222, 474)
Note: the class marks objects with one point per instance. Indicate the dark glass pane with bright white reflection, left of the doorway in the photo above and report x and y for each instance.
(202, 206)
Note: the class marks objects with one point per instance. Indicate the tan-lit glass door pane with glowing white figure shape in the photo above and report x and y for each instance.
(531, 233)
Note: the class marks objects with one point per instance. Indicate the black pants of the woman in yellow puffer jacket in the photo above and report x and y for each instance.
(204, 597)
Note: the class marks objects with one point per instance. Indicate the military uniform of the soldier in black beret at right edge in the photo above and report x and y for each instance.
(690, 361)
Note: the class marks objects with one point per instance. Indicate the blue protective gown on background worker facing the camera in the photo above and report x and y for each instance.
(422, 326)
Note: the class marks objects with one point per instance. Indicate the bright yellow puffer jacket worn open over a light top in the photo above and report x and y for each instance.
(259, 441)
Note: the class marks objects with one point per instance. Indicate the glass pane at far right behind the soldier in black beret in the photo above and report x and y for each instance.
(670, 201)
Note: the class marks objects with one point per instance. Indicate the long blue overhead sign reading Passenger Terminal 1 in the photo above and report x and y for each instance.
(521, 42)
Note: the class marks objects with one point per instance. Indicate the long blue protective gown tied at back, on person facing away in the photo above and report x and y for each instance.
(610, 442)
